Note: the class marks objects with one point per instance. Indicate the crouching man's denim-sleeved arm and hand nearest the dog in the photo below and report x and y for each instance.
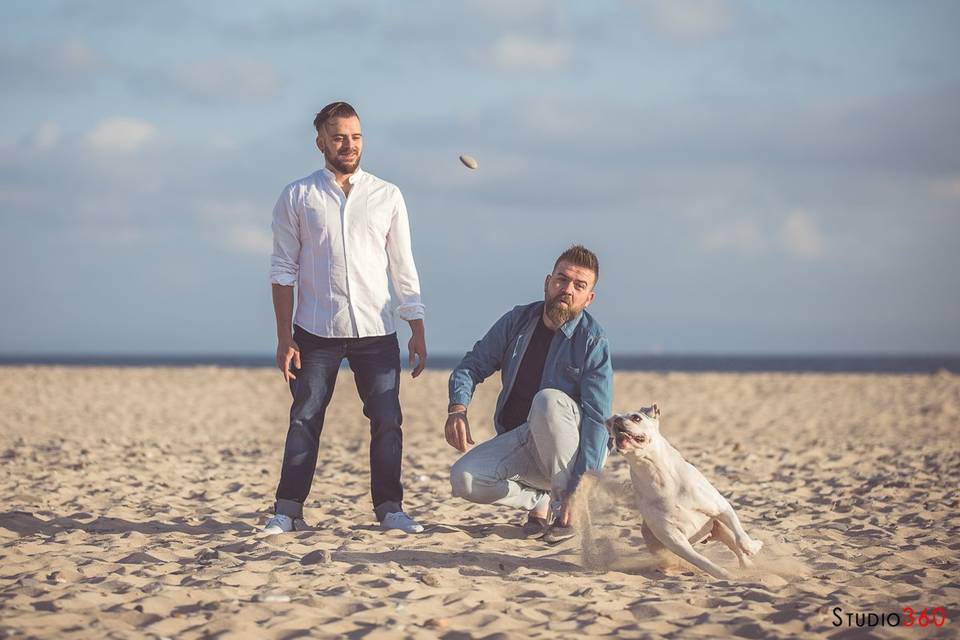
(596, 404)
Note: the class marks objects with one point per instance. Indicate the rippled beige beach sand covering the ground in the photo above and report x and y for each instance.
(132, 499)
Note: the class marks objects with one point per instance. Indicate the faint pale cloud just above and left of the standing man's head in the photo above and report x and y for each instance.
(227, 78)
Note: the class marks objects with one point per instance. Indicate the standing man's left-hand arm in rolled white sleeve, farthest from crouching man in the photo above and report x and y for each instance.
(284, 270)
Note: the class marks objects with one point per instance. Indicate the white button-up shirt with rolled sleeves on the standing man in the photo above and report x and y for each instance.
(338, 250)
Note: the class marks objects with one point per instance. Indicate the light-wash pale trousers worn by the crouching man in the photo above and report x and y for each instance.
(528, 465)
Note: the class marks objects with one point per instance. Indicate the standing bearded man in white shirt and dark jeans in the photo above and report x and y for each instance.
(337, 235)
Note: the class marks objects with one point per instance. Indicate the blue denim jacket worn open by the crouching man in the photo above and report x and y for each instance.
(578, 363)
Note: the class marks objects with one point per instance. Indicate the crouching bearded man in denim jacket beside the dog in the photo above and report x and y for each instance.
(557, 379)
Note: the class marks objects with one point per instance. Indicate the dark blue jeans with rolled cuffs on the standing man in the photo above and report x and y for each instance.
(375, 362)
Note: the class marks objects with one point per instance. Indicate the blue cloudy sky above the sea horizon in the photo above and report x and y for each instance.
(755, 176)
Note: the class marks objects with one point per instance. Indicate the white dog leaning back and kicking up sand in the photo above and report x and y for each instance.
(678, 505)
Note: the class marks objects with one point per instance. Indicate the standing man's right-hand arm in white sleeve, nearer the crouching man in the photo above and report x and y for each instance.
(406, 282)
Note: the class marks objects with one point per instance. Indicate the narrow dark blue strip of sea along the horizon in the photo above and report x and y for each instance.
(625, 362)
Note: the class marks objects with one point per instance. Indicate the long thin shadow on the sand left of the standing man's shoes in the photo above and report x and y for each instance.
(25, 523)
